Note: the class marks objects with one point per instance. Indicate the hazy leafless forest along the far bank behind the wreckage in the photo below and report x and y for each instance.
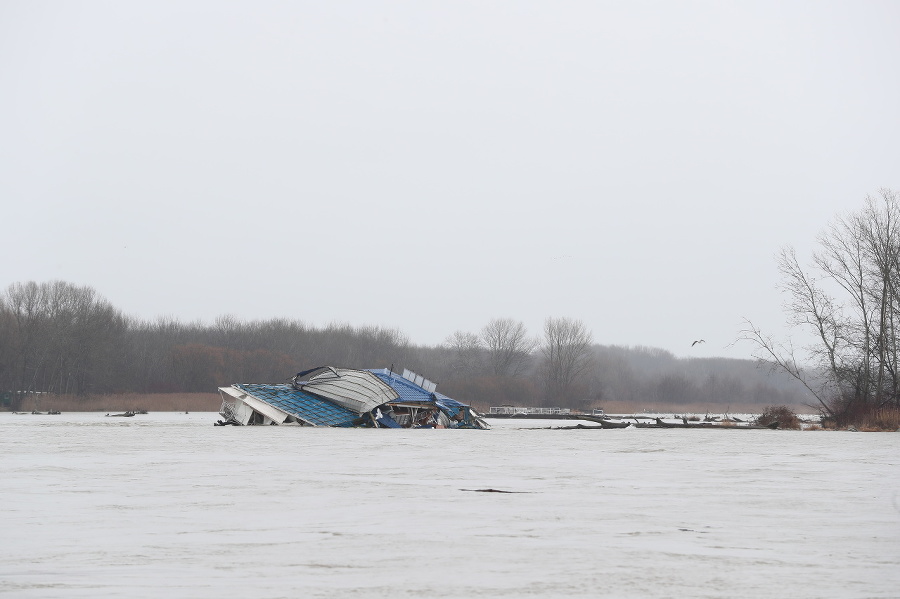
(56, 337)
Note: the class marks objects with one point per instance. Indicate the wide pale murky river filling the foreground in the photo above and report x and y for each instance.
(167, 505)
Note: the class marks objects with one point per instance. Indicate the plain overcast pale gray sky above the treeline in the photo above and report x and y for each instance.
(433, 165)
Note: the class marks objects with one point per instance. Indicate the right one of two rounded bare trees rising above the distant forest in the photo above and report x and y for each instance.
(566, 350)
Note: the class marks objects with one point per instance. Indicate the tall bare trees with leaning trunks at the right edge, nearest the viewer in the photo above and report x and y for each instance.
(848, 298)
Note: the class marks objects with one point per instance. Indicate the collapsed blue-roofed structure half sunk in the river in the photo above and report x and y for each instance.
(347, 397)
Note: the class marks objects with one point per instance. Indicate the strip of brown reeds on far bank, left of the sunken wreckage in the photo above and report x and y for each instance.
(152, 402)
